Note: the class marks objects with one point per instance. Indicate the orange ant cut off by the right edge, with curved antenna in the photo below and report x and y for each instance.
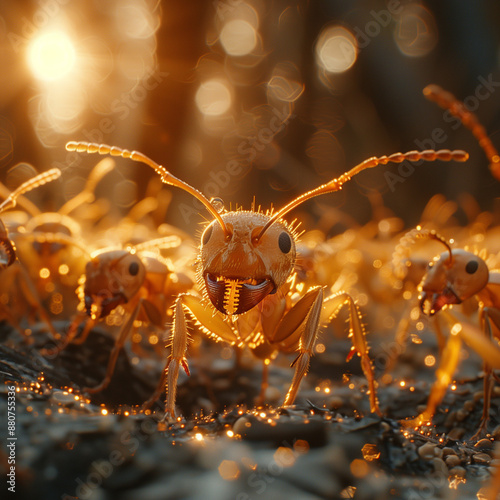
(451, 278)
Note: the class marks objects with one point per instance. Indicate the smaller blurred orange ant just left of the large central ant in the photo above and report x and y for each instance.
(137, 279)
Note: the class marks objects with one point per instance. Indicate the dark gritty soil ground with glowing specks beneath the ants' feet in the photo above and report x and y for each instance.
(327, 445)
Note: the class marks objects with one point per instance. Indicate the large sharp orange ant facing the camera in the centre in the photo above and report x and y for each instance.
(245, 271)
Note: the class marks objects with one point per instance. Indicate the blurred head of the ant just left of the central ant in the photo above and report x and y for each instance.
(111, 278)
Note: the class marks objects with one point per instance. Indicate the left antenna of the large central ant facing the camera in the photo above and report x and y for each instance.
(166, 176)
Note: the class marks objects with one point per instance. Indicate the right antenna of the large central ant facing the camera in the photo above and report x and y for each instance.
(337, 184)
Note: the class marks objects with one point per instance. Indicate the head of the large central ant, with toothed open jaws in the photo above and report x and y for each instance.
(240, 268)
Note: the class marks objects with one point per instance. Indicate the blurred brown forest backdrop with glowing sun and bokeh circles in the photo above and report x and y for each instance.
(250, 98)
